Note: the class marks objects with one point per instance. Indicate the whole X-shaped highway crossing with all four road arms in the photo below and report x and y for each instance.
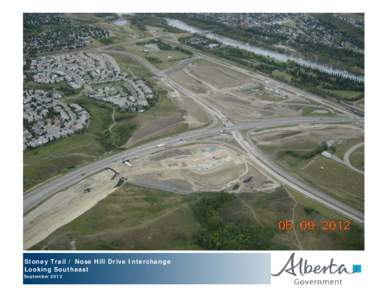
(34, 197)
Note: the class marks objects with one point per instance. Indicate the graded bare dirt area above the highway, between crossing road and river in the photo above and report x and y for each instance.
(240, 97)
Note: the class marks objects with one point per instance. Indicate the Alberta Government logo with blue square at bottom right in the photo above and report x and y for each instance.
(301, 267)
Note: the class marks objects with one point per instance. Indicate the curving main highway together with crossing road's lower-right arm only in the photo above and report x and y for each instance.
(37, 195)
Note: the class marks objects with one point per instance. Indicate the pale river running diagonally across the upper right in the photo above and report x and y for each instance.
(265, 52)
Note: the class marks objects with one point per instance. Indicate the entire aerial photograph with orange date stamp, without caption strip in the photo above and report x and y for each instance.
(193, 131)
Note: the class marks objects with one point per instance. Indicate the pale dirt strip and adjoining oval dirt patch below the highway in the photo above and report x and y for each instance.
(182, 170)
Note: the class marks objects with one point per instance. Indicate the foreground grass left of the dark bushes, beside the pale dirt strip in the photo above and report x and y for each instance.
(130, 218)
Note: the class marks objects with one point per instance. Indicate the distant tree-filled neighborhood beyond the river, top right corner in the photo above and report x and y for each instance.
(290, 28)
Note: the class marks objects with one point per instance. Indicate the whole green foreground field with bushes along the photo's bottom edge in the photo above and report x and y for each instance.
(135, 218)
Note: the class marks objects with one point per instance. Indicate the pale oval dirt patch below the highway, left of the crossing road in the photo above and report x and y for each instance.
(205, 167)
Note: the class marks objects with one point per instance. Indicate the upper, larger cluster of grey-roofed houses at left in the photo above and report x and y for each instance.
(98, 73)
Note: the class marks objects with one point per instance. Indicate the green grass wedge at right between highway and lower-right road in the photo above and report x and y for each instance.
(305, 161)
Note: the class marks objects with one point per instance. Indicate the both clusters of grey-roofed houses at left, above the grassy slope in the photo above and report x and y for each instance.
(47, 117)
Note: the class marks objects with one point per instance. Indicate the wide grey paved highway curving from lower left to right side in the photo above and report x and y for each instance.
(37, 195)
